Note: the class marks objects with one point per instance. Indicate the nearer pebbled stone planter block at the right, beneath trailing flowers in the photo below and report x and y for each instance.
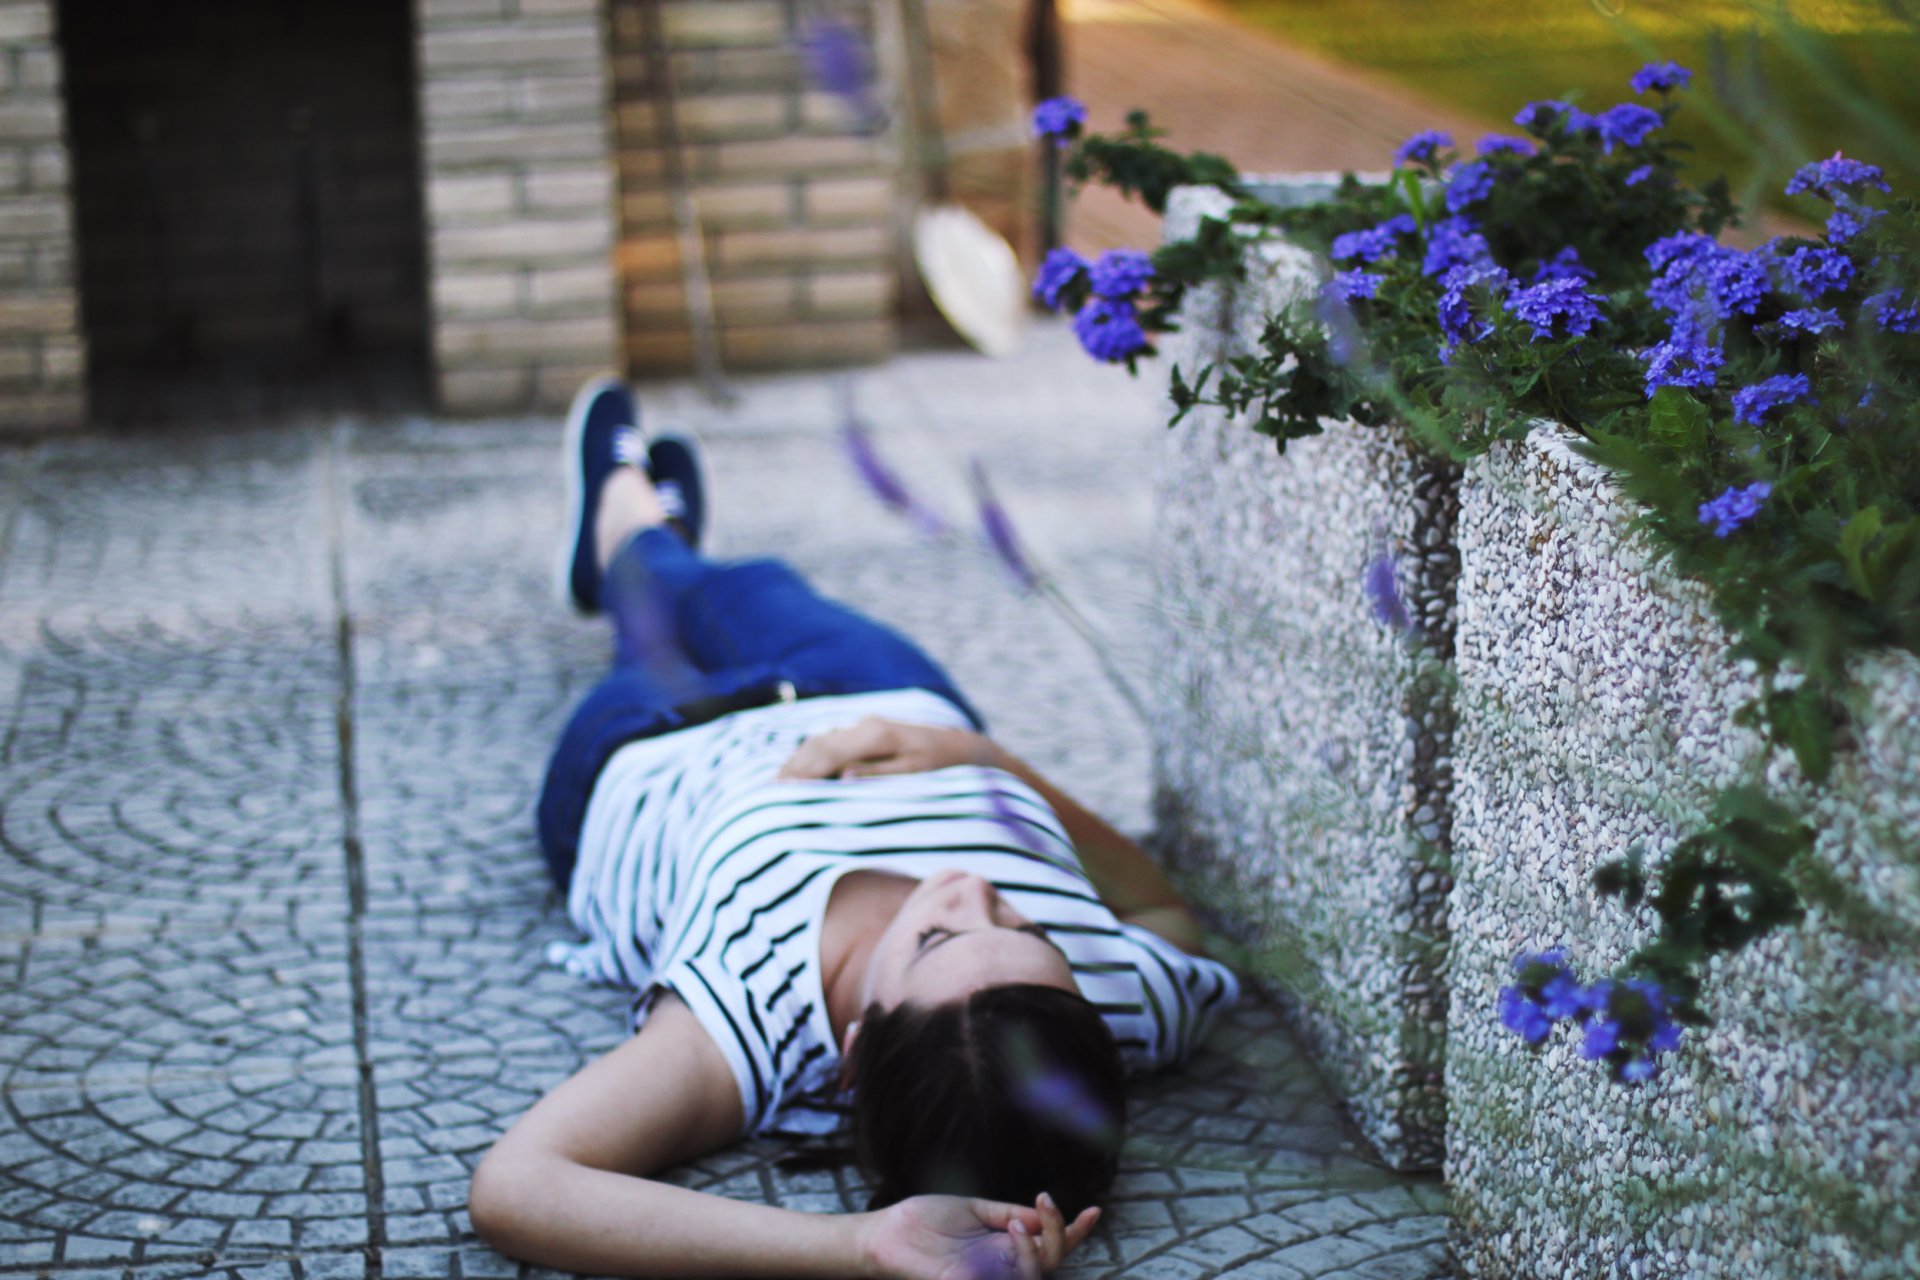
(1595, 713)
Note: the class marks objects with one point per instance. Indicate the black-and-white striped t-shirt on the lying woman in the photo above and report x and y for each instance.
(704, 874)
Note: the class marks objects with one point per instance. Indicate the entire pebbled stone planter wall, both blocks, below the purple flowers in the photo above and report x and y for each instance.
(1387, 826)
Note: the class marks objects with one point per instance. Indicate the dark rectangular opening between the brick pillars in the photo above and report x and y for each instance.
(249, 206)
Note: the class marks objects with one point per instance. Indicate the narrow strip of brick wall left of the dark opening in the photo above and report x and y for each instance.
(43, 360)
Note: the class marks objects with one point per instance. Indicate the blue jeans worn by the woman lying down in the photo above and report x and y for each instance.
(688, 628)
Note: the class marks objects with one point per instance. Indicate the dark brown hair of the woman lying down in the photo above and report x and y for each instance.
(1005, 1095)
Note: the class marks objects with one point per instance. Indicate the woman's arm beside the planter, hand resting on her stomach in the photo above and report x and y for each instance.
(1122, 872)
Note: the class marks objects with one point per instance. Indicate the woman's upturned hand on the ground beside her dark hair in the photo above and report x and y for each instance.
(957, 1239)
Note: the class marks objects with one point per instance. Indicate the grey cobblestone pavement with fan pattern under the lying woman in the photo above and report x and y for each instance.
(276, 705)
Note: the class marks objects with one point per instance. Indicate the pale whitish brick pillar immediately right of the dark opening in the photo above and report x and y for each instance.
(519, 199)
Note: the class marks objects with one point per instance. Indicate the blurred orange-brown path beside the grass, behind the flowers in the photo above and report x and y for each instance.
(1218, 85)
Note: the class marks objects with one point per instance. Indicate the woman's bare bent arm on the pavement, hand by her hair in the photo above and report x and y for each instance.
(569, 1189)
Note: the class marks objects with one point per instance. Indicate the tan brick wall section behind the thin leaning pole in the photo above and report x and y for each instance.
(796, 197)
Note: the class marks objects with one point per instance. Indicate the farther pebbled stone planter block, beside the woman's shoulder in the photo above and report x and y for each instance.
(1301, 744)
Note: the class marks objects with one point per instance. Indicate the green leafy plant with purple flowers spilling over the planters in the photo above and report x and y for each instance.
(1447, 321)
